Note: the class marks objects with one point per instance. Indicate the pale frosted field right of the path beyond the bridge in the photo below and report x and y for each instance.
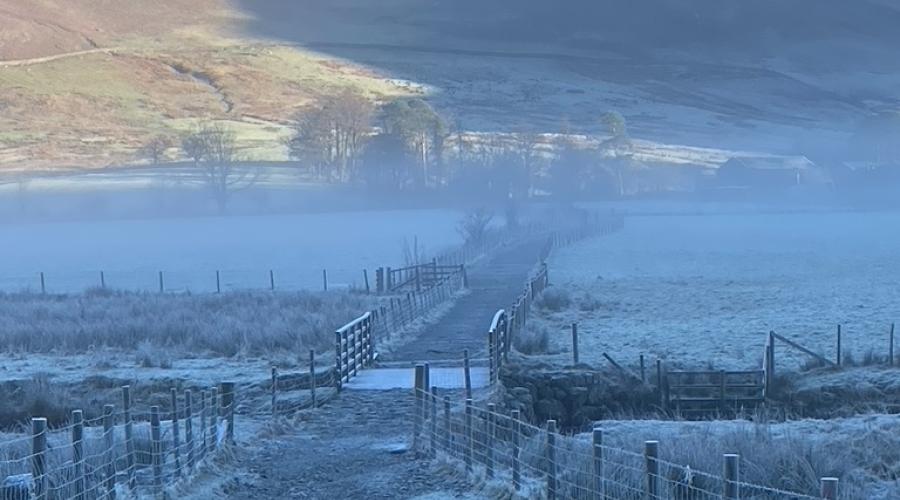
(706, 290)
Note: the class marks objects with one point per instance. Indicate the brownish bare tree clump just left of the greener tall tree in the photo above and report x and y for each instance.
(332, 137)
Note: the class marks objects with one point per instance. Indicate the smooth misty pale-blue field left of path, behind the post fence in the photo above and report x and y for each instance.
(190, 250)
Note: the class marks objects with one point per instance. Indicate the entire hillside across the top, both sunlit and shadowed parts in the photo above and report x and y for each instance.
(86, 82)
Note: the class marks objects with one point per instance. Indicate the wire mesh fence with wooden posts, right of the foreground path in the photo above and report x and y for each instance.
(541, 462)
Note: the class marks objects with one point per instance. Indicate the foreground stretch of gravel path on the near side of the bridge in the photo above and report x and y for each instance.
(356, 446)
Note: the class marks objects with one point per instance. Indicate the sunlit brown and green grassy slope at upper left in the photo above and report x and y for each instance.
(97, 108)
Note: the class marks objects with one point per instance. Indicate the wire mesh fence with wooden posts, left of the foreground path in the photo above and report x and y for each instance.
(136, 450)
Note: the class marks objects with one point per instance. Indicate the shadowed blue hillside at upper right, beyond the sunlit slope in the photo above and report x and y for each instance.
(772, 75)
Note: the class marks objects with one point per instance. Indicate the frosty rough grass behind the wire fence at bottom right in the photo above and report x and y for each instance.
(788, 455)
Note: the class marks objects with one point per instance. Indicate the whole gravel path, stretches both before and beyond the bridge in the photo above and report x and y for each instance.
(356, 445)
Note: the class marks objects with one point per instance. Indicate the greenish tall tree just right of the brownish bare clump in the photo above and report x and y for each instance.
(421, 128)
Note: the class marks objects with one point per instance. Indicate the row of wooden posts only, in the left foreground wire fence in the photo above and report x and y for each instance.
(219, 406)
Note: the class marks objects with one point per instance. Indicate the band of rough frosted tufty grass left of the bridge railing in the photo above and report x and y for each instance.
(159, 327)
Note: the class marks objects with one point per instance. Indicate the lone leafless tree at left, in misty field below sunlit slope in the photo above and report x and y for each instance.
(214, 151)
